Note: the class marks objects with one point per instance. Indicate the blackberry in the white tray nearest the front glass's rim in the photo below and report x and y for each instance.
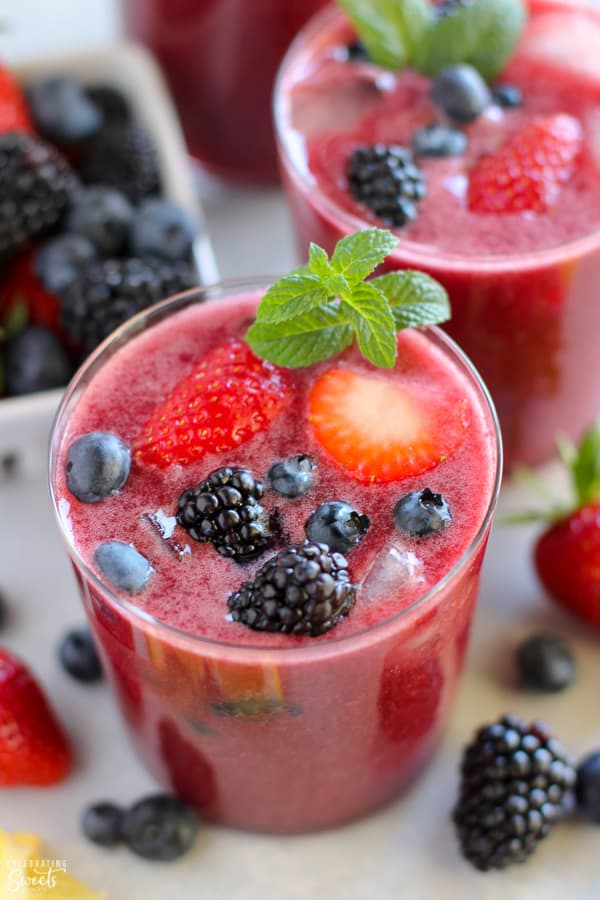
(108, 292)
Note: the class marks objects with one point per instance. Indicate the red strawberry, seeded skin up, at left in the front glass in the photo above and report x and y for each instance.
(228, 397)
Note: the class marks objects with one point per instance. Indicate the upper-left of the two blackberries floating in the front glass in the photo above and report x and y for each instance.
(225, 510)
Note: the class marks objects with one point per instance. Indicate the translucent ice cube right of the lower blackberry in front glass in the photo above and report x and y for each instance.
(394, 571)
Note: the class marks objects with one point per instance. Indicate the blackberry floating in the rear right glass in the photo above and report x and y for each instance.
(386, 179)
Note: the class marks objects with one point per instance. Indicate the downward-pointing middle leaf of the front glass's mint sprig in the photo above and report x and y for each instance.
(371, 318)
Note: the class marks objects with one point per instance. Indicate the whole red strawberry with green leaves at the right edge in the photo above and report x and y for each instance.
(567, 553)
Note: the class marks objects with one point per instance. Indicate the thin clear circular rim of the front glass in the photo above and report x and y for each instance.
(152, 316)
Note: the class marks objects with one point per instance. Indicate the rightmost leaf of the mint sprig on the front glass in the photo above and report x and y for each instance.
(415, 298)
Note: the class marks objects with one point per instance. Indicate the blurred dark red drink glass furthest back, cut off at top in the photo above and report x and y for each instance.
(220, 58)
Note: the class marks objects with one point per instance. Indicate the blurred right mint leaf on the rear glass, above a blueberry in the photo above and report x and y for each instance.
(483, 33)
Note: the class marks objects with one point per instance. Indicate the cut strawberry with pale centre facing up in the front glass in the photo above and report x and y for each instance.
(379, 429)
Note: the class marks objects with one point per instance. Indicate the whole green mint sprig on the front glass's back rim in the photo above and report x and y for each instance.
(319, 309)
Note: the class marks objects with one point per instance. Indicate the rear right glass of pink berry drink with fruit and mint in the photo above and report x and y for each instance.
(480, 147)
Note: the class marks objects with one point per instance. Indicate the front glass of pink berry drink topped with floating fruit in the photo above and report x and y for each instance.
(269, 731)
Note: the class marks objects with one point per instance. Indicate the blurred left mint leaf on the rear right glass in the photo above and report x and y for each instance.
(391, 30)
